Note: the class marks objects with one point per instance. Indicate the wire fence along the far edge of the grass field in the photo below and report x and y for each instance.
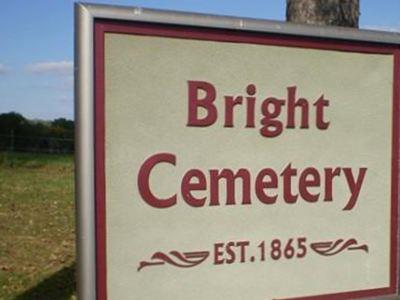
(36, 144)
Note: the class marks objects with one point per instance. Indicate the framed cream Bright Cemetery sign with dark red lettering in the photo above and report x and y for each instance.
(231, 163)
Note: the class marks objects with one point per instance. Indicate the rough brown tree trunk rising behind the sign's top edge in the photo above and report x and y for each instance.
(323, 12)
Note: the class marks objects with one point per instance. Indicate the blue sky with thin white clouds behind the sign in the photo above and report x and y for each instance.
(36, 44)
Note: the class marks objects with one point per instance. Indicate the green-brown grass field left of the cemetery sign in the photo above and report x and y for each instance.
(37, 230)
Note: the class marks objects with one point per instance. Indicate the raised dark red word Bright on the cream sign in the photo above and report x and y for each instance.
(202, 94)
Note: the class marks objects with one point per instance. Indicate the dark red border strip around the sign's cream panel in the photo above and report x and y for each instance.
(228, 35)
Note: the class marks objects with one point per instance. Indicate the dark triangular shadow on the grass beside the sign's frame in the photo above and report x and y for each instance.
(59, 286)
